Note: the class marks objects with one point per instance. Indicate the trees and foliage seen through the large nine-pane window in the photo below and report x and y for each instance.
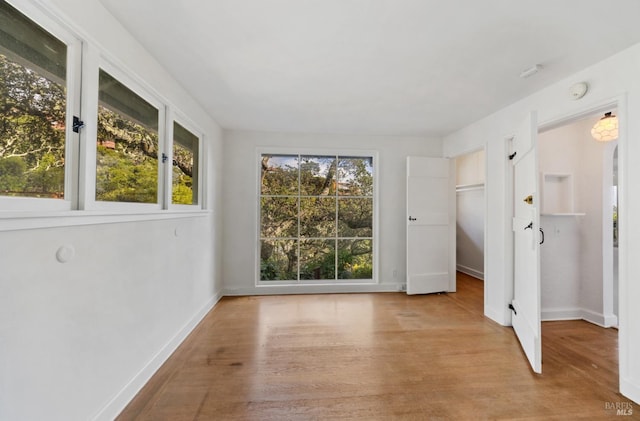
(316, 217)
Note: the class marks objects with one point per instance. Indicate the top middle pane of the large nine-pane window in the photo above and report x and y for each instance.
(317, 175)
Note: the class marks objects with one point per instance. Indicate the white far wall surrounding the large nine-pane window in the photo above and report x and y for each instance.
(241, 206)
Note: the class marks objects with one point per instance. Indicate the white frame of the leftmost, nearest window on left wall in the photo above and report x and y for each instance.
(11, 205)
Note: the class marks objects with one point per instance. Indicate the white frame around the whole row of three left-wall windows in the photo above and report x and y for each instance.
(79, 206)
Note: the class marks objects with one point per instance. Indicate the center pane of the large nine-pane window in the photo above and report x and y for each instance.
(318, 217)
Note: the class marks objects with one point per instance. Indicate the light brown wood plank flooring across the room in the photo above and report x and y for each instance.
(378, 357)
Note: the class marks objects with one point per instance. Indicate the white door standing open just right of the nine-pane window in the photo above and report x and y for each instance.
(429, 226)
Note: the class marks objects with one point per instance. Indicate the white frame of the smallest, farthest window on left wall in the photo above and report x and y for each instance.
(175, 116)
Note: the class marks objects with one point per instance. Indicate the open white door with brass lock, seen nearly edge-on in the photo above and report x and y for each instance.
(527, 237)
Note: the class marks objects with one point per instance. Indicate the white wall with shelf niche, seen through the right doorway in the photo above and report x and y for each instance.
(572, 264)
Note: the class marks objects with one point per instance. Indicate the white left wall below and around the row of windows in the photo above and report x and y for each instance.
(78, 339)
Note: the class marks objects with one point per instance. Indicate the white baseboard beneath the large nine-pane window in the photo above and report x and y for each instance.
(312, 289)
